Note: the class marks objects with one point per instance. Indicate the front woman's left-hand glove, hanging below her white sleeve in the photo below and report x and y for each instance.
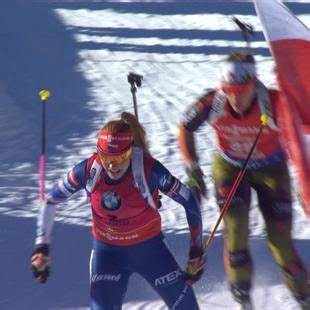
(40, 262)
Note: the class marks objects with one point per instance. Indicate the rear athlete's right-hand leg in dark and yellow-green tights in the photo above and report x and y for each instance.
(276, 204)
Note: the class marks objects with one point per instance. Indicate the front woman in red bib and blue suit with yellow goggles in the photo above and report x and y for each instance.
(123, 183)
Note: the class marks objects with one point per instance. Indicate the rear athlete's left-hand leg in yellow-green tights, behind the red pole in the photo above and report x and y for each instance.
(238, 262)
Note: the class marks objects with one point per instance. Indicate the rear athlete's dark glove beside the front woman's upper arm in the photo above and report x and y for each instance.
(195, 181)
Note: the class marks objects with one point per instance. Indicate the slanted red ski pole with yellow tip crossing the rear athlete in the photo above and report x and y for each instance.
(264, 120)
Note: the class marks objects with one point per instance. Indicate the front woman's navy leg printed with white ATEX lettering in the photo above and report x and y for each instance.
(153, 260)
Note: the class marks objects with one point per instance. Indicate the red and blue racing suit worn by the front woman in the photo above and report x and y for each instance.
(127, 233)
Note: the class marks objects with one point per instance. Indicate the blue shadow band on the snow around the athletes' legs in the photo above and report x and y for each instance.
(70, 251)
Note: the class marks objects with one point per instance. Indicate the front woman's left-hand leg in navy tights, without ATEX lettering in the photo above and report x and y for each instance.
(108, 277)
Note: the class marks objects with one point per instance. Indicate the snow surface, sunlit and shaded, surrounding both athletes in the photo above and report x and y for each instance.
(82, 51)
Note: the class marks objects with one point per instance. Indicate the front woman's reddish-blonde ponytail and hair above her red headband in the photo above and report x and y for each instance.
(128, 122)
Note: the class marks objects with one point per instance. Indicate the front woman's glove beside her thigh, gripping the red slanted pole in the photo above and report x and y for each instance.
(195, 265)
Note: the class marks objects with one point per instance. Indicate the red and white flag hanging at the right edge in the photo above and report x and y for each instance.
(289, 42)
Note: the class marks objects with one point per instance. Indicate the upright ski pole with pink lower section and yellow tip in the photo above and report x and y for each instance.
(44, 94)
